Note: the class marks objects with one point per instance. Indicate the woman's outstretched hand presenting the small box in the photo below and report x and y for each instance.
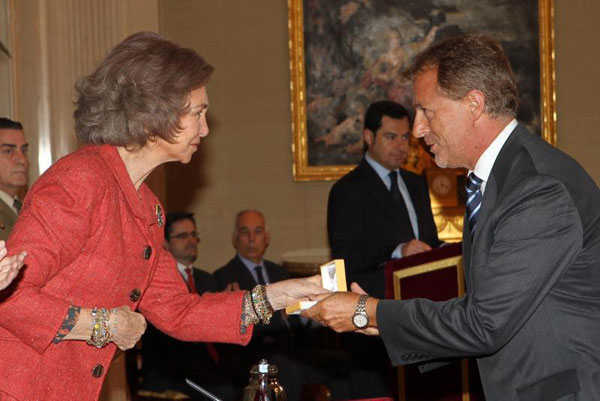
(289, 292)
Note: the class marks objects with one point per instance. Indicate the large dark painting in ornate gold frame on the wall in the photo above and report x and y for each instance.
(345, 54)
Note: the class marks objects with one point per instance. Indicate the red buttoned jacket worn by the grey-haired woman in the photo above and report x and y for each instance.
(93, 240)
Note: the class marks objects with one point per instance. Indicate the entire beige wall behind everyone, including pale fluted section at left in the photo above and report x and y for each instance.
(246, 161)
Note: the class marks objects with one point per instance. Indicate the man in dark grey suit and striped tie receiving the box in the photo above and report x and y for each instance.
(531, 242)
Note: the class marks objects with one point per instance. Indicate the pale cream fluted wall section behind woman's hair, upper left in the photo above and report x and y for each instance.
(55, 43)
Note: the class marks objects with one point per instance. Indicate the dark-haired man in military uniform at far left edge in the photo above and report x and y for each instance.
(14, 167)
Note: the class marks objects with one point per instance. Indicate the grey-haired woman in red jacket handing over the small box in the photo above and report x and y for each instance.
(93, 232)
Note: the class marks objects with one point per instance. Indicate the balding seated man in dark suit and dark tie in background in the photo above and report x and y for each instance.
(275, 341)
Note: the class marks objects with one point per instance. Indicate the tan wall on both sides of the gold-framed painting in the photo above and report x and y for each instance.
(246, 161)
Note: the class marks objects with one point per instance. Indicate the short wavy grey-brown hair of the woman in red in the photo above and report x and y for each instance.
(138, 92)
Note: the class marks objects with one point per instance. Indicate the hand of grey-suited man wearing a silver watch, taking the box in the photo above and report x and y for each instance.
(336, 310)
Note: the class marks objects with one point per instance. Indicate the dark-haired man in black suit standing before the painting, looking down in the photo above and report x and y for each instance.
(377, 212)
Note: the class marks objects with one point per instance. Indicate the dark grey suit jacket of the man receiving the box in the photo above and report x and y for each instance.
(531, 313)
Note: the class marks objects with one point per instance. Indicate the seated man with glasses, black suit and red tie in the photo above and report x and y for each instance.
(166, 361)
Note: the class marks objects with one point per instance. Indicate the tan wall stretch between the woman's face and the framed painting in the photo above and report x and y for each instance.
(248, 161)
